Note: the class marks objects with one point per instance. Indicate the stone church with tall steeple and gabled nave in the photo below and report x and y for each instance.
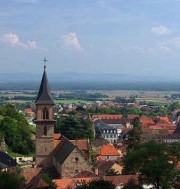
(67, 157)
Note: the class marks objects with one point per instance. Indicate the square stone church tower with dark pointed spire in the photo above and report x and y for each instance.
(44, 124)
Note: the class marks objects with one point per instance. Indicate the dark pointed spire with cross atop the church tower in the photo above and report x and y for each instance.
(44, 95)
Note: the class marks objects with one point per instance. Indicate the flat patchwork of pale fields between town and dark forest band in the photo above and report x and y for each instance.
(73, 96)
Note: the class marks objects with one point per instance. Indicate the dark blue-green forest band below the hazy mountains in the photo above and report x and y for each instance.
(105, 85)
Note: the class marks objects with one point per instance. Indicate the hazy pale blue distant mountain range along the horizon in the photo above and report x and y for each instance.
(83, 77)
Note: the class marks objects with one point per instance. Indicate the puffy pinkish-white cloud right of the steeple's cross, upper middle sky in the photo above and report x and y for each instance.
(71, 41)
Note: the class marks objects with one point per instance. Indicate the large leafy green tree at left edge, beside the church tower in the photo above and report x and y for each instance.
(15, 130)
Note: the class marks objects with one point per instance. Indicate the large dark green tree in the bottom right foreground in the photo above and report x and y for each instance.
(152, 164)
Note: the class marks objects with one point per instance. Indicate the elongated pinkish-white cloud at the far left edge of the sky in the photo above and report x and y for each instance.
(13, 40)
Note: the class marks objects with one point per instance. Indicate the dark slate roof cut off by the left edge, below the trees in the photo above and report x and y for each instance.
(6, 160)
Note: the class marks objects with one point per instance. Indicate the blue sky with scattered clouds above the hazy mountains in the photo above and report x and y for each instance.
(133, 37)
